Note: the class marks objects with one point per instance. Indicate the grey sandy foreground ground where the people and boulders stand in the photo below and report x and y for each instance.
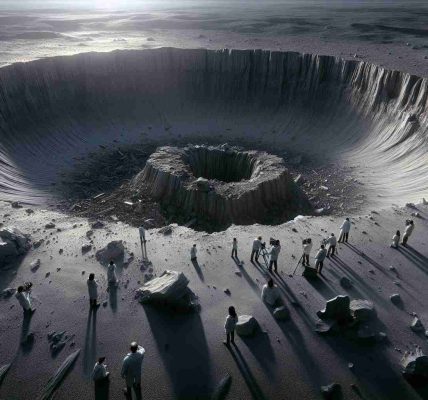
(185, 356)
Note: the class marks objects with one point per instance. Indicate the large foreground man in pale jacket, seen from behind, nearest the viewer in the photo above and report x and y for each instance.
(131, 370)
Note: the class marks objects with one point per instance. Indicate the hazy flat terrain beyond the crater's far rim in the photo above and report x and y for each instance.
(35, 29)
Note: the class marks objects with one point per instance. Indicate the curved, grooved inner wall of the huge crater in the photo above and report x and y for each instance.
(55, 109)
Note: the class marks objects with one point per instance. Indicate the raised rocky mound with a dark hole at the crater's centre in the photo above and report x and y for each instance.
(222, 184)
